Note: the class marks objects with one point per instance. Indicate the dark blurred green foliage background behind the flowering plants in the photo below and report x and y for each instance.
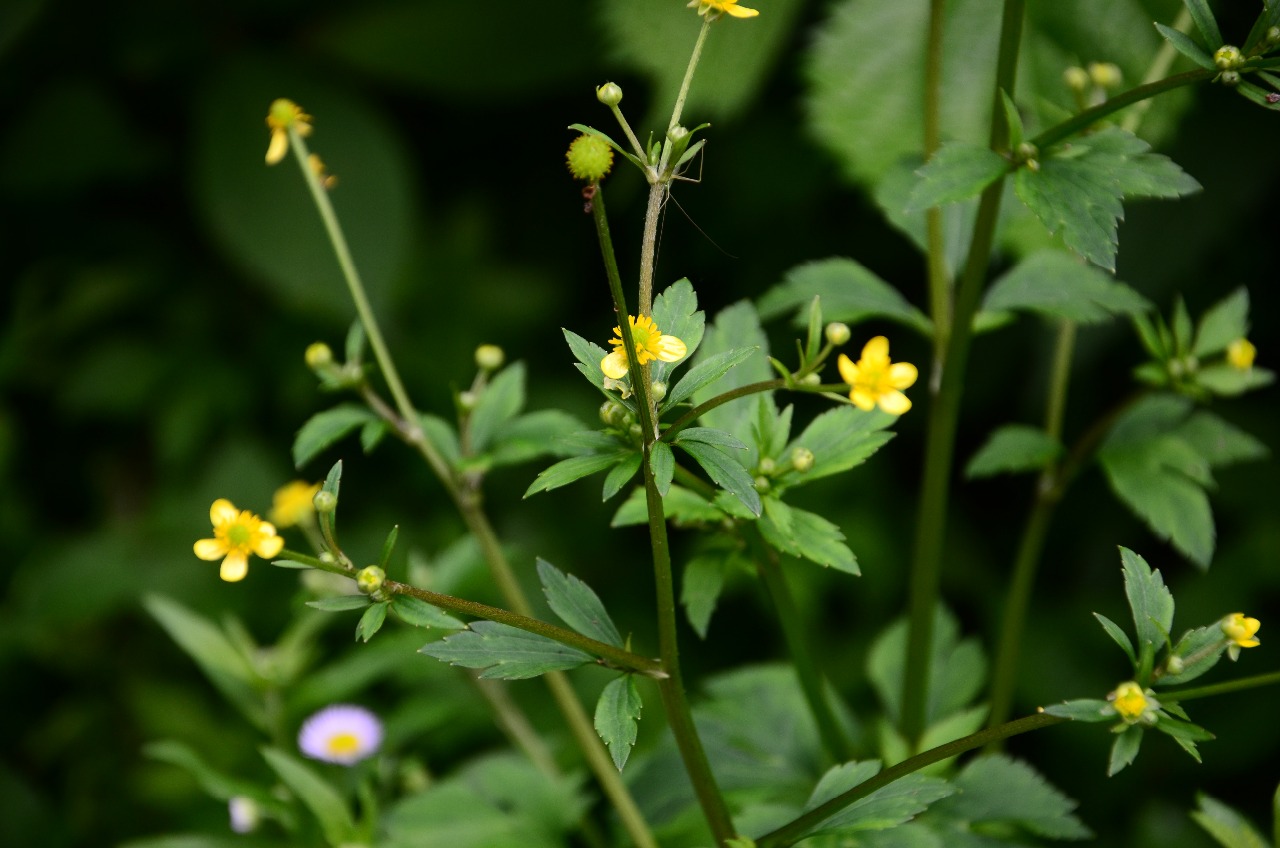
(161, 286)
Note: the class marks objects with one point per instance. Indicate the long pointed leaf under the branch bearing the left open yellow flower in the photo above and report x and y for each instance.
(505, 653)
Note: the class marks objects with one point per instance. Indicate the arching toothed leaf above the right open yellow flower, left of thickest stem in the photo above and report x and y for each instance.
(849, 294)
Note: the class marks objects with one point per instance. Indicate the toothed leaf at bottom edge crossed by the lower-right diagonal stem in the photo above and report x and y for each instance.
(888, 808)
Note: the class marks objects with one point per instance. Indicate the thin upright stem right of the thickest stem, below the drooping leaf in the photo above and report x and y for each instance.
(1005, 673)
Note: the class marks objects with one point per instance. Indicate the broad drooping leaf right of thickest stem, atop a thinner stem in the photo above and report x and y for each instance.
(1054, 284)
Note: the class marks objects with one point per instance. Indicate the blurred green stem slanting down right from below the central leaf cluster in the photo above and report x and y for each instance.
(802, 655)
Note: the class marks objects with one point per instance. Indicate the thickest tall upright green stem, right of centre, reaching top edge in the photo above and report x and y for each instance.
(940, 446)
